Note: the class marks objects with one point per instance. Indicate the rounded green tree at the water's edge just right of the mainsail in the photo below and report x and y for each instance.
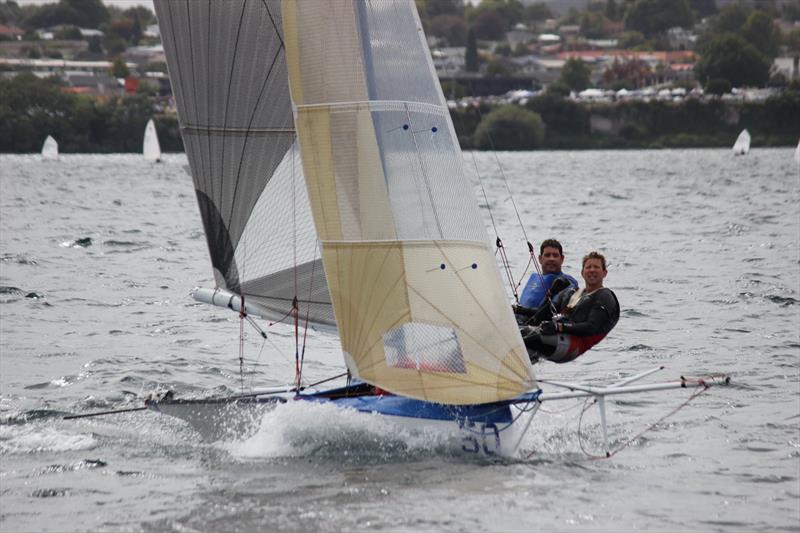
(510, 127)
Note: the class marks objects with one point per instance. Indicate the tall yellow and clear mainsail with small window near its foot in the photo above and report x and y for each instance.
(417, 295)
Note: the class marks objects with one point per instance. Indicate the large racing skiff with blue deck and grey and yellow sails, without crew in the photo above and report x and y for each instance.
(332, 191)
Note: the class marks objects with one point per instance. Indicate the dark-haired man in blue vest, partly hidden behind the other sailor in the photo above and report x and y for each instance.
(544, 285)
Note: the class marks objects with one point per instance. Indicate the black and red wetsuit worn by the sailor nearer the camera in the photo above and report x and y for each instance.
(585, 320)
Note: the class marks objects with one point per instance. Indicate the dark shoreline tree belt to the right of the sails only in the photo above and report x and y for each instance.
(551, 121)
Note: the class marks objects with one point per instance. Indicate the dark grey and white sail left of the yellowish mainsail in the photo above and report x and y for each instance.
(228, 72)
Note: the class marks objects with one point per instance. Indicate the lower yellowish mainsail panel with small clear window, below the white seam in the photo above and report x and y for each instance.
(426, 319)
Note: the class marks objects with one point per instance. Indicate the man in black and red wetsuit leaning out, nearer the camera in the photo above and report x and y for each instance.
(582, 318)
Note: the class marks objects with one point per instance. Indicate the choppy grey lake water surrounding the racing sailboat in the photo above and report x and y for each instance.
(98, 254)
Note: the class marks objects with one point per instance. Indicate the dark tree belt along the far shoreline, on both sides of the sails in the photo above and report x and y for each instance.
(32, 108)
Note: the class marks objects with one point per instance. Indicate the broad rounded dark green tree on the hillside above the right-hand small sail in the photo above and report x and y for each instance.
(730, 57)
